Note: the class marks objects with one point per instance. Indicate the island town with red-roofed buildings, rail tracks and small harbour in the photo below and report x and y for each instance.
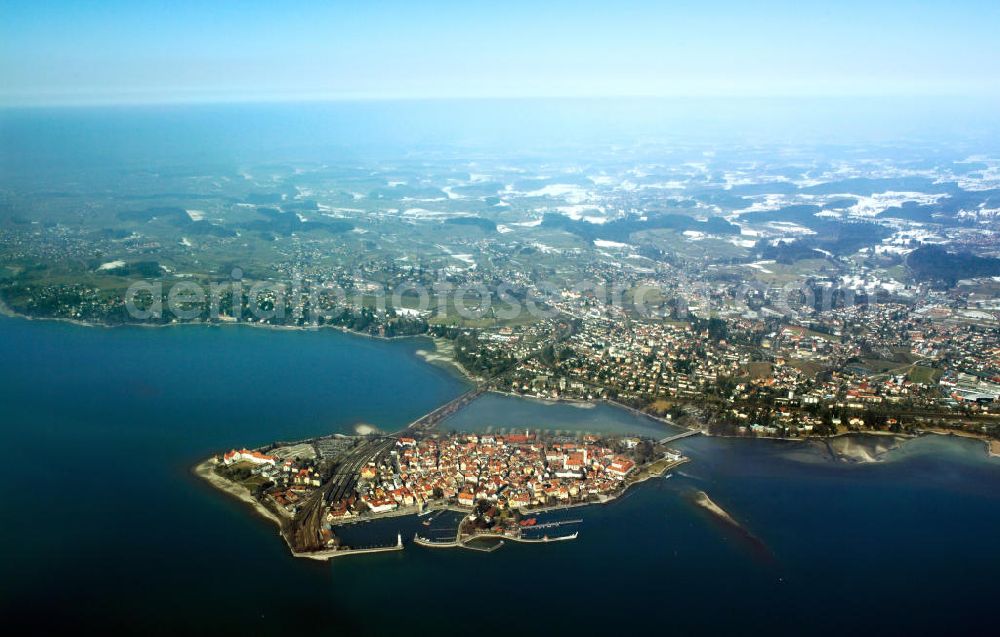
(499, 484)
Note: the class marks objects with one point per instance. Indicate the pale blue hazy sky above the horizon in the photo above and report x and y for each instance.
(134, 52)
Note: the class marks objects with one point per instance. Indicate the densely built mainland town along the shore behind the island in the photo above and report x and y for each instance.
(775, 376)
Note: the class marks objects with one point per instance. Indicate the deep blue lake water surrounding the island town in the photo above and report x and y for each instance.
(105, 526)
